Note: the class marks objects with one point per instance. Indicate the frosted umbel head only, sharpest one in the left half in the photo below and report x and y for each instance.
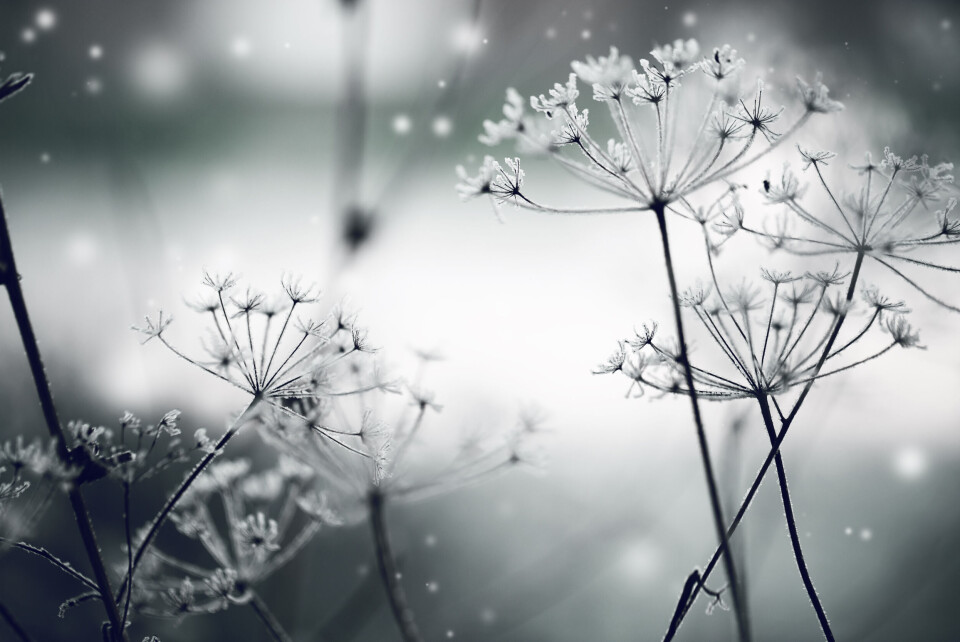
(268, 348)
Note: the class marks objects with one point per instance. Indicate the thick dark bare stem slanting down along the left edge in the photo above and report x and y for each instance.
(11, 279)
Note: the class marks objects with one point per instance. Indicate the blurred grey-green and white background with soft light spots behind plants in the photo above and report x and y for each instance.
(320, 137)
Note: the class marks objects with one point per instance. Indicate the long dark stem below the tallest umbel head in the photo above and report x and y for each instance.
(743, 625)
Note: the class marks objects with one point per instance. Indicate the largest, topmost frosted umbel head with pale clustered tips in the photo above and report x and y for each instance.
(680, 121)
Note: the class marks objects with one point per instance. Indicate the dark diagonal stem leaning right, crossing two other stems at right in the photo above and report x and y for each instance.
(684, 604)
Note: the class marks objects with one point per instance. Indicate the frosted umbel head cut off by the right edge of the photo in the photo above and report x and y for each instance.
(899, 216)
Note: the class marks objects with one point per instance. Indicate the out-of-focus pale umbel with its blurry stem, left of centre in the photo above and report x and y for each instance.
(352, 490)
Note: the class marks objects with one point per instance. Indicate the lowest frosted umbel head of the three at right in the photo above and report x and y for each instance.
(764, 346)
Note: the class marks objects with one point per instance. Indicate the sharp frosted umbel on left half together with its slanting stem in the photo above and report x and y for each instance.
(291, 360)
